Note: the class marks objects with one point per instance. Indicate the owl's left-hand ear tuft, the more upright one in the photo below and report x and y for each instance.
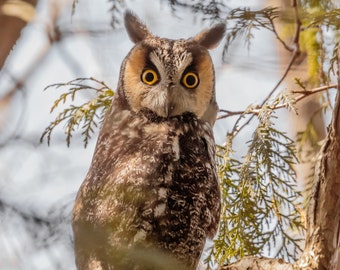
(136, 30)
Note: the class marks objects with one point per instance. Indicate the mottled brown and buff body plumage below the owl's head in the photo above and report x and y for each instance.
(143, 187)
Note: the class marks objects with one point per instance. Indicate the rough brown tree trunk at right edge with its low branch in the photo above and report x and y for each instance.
(322, 249)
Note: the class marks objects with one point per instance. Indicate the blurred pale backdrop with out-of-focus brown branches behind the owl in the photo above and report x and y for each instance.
(43, 42)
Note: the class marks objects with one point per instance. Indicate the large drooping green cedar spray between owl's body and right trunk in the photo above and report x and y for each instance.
(260, 201)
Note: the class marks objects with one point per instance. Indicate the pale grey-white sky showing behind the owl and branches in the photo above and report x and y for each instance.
(44, 180)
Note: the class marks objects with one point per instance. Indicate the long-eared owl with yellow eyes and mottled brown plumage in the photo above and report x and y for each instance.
(151, 197)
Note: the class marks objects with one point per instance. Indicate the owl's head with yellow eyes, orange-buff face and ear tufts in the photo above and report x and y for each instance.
(169, 77)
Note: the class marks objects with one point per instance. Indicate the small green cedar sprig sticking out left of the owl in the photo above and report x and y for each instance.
(85, 116)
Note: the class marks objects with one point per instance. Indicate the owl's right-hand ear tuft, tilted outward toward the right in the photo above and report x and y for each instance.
(211, 37)
